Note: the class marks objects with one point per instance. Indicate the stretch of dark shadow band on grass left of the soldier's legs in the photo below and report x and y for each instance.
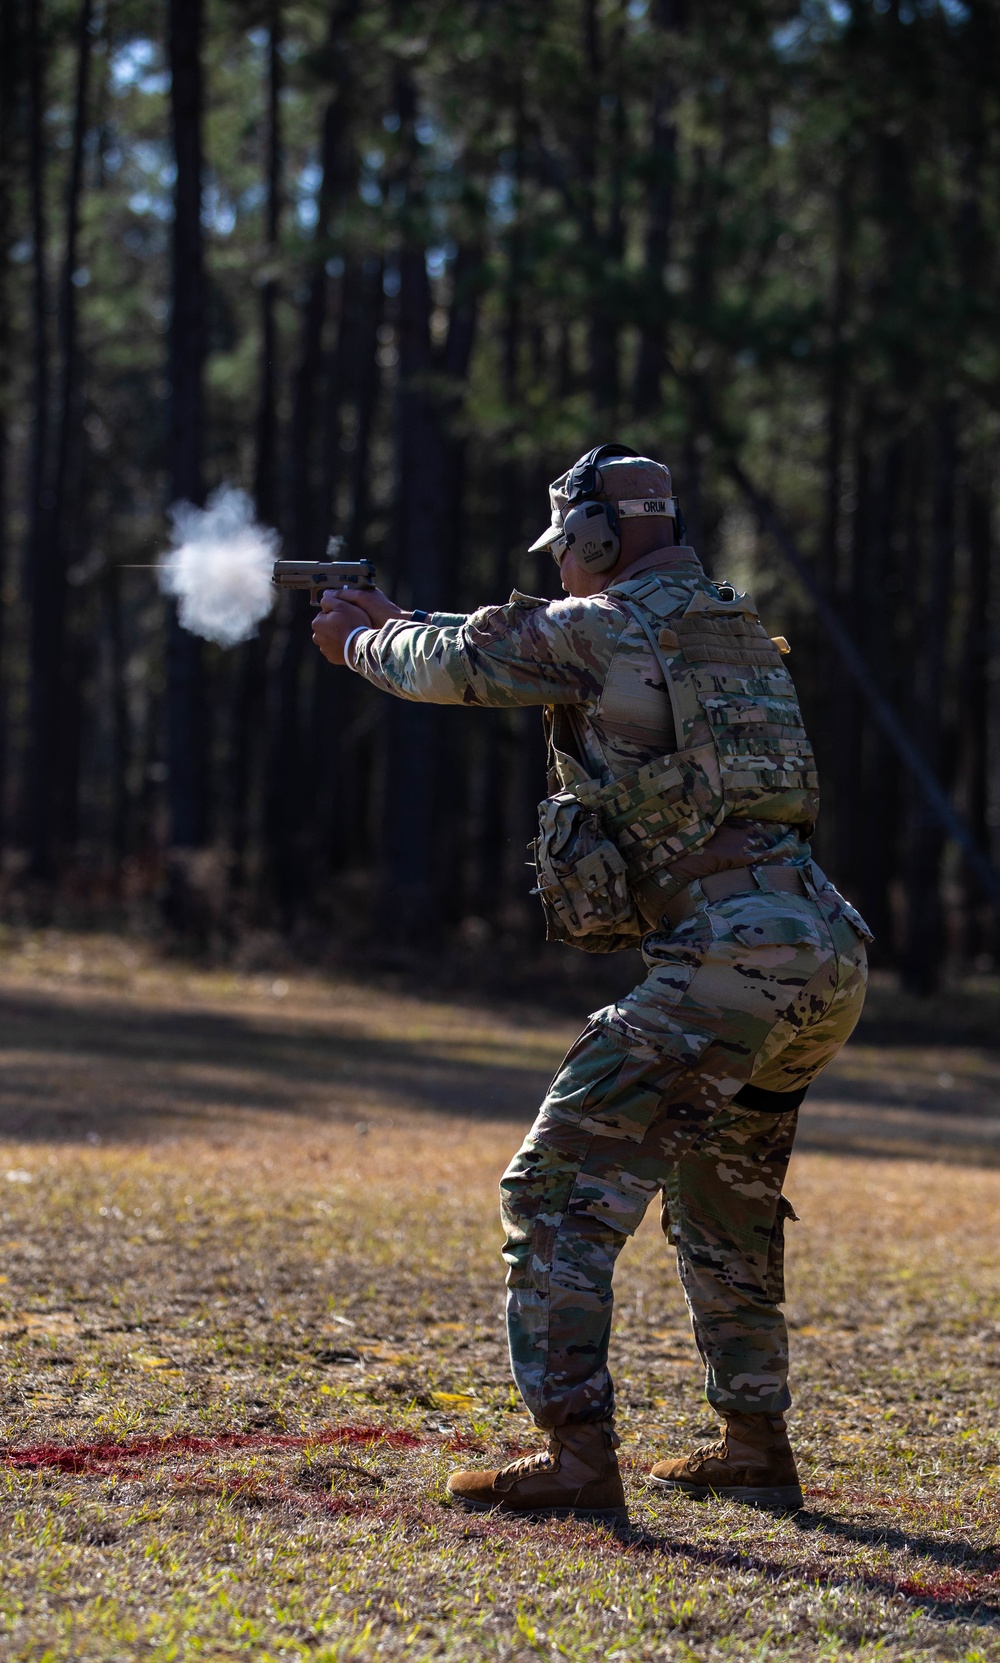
(71, 1070)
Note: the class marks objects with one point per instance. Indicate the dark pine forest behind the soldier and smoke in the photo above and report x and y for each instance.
(390, 269)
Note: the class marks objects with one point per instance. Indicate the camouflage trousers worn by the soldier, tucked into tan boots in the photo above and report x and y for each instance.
(750, 995)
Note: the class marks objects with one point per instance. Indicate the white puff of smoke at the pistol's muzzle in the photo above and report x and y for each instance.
(220, 568)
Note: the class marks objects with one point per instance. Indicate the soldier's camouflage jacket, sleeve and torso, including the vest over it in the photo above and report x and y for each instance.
(668, 711)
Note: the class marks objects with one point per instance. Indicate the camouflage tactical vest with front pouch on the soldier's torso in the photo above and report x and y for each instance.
(741, 754)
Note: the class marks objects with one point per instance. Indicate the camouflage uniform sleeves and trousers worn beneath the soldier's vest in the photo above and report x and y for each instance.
(746, 999)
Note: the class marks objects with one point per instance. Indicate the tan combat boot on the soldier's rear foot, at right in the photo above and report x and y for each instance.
(753, 1463)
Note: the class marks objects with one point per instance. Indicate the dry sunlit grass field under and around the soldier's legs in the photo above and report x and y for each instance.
(252, 1315)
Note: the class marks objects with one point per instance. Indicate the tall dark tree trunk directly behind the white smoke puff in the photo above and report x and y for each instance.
(187, 709)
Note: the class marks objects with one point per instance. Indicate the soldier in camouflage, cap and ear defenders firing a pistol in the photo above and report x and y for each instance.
(683, 802)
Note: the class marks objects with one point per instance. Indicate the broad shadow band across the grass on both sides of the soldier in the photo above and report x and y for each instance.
(119, 1070)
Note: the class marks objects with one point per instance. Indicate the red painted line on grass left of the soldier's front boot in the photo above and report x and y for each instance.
(111, 1456)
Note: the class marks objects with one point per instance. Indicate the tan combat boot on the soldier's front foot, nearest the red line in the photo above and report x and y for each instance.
(575, 1478)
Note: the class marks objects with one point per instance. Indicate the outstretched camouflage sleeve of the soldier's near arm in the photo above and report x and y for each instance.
(527, 653)
